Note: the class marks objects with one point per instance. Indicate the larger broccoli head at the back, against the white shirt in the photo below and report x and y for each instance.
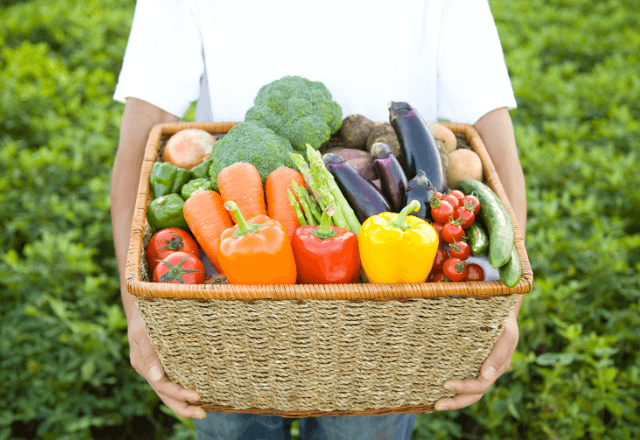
(298, 109)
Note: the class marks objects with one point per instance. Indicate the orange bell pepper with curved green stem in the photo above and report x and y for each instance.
(257, 251)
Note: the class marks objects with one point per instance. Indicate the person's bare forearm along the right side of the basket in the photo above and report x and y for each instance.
(496, 130)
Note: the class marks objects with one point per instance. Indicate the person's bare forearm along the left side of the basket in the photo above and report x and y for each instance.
(137, 120)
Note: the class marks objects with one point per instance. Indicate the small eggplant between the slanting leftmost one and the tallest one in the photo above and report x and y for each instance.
(393, 180)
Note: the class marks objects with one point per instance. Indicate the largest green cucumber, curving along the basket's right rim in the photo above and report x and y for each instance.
(496, 218)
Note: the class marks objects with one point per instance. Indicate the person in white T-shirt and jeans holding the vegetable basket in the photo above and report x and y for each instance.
(442, 56)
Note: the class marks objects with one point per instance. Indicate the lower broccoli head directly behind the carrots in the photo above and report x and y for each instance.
(249, 142)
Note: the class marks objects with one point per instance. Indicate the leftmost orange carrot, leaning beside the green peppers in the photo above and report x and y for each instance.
(205, 214)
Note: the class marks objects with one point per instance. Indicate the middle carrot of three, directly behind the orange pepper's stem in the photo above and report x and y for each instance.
(241, 183)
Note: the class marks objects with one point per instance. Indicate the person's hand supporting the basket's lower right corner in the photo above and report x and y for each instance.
(469, 391)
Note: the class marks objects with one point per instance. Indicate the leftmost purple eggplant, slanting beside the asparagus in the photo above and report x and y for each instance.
(363, 196)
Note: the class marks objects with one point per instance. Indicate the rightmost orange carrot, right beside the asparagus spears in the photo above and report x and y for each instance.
(278, 203)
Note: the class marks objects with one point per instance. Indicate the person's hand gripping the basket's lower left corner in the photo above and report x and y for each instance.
(146, 362)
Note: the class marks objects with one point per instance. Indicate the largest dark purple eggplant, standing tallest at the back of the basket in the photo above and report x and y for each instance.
(418, 145)
